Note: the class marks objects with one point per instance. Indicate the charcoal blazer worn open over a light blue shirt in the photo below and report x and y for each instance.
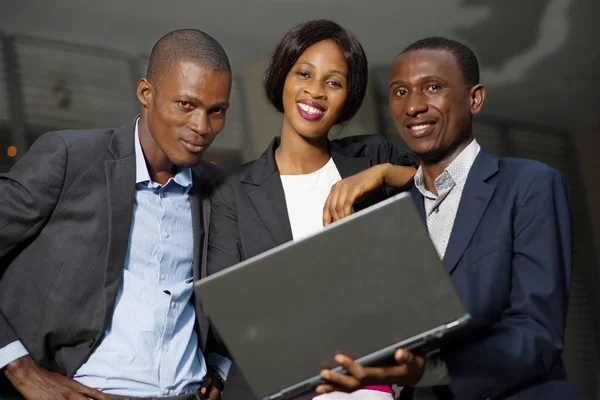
(66, 214)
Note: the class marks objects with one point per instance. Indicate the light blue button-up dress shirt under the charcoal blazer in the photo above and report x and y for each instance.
(150, 347)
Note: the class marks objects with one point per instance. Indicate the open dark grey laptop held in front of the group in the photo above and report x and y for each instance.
(363, 286)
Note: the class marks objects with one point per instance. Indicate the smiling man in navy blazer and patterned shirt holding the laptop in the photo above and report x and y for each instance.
(502, 228)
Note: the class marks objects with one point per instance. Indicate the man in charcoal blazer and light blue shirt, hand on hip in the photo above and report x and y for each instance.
(104, 232)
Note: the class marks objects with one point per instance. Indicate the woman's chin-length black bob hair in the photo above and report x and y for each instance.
(301, 37)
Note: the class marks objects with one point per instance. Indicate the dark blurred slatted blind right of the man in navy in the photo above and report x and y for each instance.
(581, 354)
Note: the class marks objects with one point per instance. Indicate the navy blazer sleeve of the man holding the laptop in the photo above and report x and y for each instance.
(527, 341)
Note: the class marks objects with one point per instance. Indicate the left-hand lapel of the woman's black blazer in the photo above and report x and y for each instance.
(267, 196)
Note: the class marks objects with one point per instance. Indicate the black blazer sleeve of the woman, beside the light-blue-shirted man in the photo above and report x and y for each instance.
(224, 242)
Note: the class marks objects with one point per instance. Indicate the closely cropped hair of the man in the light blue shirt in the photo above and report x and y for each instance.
(186, 45)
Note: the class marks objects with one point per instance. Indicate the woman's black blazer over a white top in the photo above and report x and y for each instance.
(249, 214)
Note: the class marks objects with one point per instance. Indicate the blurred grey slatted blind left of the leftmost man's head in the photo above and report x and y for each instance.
(74, 87)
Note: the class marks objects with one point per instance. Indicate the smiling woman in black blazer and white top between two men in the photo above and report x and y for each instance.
(317, 78)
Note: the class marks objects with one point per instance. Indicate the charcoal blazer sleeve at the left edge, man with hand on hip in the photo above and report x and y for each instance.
(29, 193)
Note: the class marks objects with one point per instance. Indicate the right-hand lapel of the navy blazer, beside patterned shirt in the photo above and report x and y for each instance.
(475, 199)
